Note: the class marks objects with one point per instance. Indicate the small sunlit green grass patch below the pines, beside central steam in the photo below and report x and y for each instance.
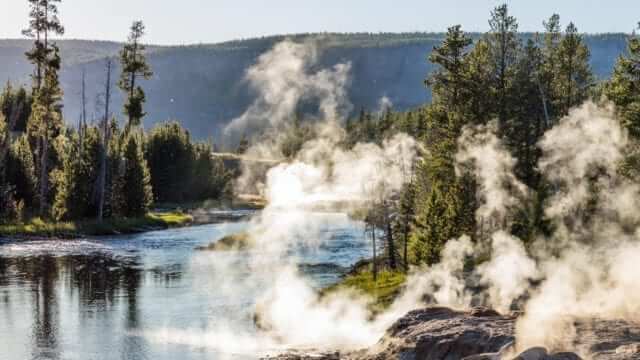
(383, 291)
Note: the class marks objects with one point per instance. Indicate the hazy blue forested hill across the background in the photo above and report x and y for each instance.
(201, 85)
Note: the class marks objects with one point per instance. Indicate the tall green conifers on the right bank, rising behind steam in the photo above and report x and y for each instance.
(525, 86)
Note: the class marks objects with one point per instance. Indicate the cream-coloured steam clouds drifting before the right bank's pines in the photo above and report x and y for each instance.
(585, 269)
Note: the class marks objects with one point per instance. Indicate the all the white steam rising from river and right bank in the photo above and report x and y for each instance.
(587, 269)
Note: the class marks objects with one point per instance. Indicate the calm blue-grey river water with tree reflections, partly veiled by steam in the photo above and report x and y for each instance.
(94, 298)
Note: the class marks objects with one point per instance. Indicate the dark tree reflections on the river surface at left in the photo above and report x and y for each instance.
(43, 288)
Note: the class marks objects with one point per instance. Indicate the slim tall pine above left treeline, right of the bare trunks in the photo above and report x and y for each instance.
(134, 65)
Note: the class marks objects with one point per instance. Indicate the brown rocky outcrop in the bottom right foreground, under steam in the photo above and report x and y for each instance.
(439, 333)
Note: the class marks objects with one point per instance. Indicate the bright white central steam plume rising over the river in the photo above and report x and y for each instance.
(304, 194)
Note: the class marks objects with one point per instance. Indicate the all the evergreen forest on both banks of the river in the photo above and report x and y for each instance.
(521, 85)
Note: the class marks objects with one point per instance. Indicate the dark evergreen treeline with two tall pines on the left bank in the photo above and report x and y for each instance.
(99, 169)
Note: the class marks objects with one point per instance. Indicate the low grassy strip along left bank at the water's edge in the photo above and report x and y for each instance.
(37, 227)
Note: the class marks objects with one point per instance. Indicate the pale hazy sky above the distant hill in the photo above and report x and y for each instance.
(193, 21)
